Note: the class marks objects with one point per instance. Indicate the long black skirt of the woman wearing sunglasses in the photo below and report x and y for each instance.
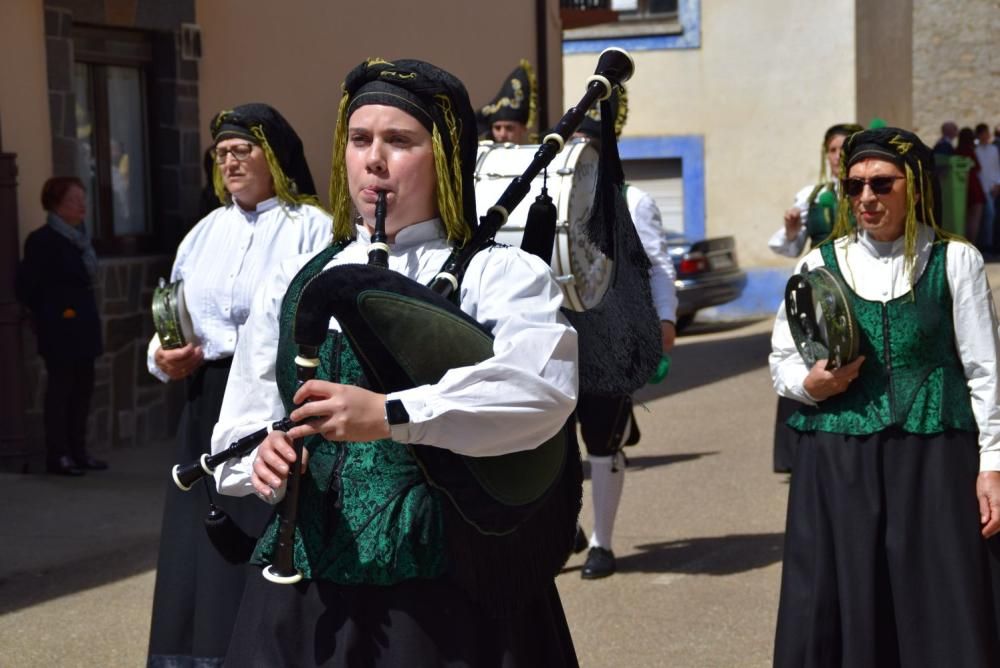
(884, 563)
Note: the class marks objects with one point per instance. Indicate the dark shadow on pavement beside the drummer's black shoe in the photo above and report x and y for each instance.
(716, 555)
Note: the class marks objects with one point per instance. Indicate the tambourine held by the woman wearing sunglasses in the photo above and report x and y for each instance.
(820, 318)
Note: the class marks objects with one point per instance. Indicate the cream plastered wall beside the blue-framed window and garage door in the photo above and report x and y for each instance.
(768, 79)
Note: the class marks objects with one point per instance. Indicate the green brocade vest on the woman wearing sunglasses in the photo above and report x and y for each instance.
(912, 376)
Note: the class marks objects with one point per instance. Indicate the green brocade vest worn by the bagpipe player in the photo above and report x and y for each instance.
(366, 513)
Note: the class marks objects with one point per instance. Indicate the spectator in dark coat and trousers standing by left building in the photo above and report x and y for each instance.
(55, 282)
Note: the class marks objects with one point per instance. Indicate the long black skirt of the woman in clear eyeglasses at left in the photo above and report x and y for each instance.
(197, 592)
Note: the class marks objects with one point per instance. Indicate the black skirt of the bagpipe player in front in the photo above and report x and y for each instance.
(417, 623)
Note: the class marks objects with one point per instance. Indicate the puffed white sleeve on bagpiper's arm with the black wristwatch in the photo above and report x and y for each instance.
(522, 395)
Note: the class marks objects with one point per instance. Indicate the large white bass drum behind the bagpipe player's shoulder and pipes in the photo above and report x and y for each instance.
(581, 269)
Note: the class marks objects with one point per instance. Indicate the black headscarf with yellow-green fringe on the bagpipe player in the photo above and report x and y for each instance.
(440, 102)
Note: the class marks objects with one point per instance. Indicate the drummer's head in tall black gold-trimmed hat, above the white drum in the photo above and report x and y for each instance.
(510, 116)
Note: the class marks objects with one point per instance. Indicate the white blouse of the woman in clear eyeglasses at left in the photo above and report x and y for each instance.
(223, 259)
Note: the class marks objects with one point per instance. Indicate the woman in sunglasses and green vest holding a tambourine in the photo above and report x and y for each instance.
(897, 475)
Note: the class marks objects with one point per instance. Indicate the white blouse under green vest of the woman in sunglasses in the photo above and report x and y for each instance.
(875, 271)
